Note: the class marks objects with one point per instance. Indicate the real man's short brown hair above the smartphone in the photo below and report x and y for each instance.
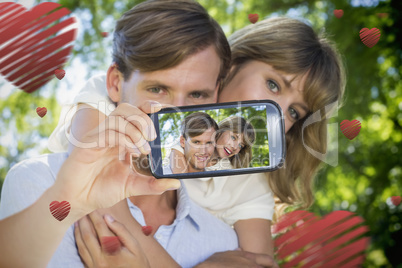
(160, 34)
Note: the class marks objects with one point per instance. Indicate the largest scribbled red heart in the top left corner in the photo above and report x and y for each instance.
(31, 46)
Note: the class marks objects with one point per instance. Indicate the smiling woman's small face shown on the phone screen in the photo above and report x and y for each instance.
(229, 144)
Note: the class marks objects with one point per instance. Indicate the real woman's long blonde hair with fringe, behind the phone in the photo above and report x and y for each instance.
(291, 46)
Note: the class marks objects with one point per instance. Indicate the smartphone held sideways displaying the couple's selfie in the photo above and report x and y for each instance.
(217, 139)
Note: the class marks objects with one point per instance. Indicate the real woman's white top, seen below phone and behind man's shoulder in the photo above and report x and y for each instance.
(230, 198)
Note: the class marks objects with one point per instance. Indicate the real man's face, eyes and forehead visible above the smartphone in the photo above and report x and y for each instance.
(193, 81)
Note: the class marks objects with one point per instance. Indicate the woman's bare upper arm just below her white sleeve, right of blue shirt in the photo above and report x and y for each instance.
(255, 236)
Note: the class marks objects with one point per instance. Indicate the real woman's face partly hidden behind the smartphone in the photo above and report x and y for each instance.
(257, 80)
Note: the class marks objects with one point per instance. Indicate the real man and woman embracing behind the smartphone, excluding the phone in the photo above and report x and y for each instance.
(173, 53)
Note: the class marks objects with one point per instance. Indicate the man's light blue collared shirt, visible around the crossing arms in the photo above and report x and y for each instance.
(194, 235)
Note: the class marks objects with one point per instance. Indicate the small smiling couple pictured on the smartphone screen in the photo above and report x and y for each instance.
(206, 146)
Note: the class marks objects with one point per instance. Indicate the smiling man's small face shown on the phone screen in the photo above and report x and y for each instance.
(198, 150)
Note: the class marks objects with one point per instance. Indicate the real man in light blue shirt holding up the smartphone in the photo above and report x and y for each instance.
(168, 51)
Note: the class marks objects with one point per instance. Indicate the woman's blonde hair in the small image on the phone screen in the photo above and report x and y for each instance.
(239, 125)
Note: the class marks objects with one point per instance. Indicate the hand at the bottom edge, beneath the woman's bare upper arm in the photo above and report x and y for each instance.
(238, 259)
